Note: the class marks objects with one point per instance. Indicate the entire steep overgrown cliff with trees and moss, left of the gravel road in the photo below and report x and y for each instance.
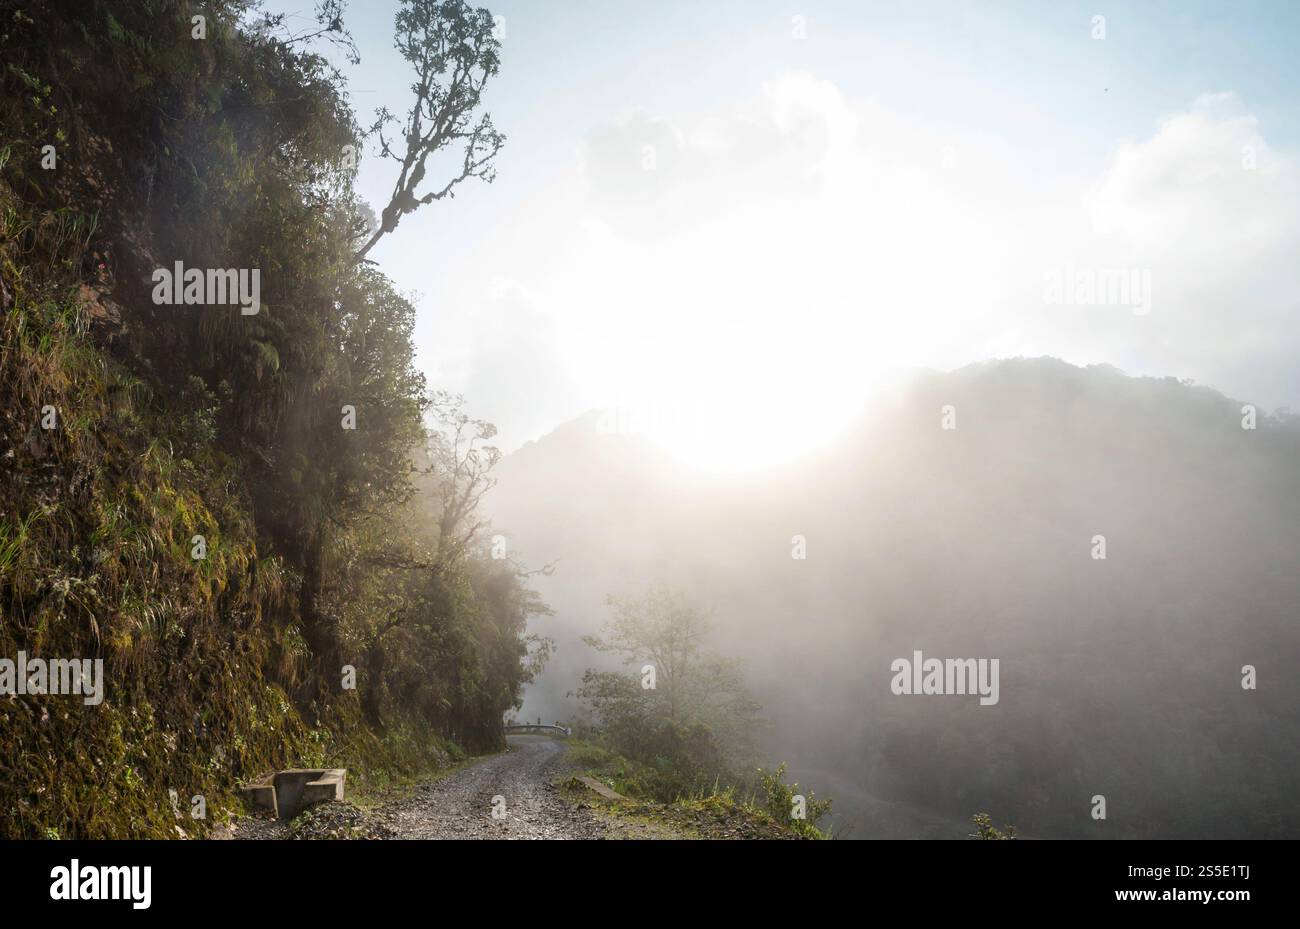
(179, 501)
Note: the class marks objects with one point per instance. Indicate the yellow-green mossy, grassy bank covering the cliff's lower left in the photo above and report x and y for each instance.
(106, 489)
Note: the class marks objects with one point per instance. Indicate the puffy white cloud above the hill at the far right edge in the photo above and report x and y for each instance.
(1214, 211)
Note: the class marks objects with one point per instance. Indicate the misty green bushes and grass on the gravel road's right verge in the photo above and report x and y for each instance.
(678, 730)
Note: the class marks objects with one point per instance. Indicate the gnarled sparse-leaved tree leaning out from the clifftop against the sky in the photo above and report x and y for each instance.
(456, 51)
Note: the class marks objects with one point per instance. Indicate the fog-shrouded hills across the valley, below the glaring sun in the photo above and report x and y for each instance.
(960, 518)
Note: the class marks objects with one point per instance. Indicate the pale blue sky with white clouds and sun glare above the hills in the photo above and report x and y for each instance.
(738, 223)
